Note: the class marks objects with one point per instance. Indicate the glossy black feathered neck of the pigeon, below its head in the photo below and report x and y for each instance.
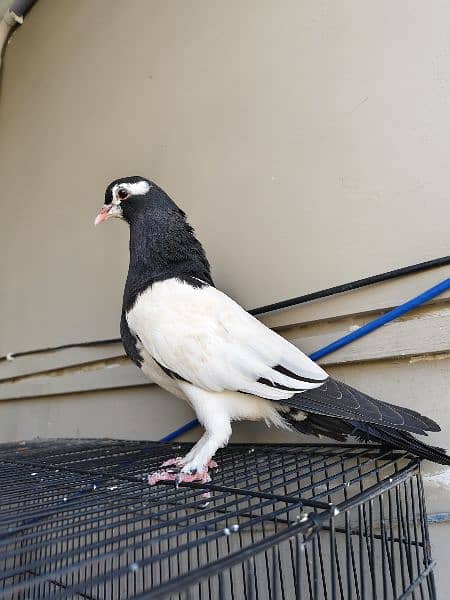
(163, 246)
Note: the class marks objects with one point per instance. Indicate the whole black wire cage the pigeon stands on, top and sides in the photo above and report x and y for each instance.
(309, 521)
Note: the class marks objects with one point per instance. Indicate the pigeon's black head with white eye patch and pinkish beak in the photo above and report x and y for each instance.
(129, 196)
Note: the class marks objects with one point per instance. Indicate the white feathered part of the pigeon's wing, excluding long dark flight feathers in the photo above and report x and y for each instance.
(206, 338)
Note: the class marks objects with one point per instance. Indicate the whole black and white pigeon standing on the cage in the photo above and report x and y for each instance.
(196, 342)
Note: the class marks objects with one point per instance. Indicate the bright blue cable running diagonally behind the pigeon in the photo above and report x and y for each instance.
(429, 294)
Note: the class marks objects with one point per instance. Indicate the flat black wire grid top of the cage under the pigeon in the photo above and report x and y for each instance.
(84, 514)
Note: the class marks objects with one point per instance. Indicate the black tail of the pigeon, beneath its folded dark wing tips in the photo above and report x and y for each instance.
(341, 430)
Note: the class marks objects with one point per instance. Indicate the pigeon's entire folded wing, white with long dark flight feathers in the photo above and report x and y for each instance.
(202, 336)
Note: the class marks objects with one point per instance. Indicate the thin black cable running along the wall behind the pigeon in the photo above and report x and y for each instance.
(338, 289)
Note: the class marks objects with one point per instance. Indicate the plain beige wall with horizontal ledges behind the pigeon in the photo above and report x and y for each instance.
(308, 142)
